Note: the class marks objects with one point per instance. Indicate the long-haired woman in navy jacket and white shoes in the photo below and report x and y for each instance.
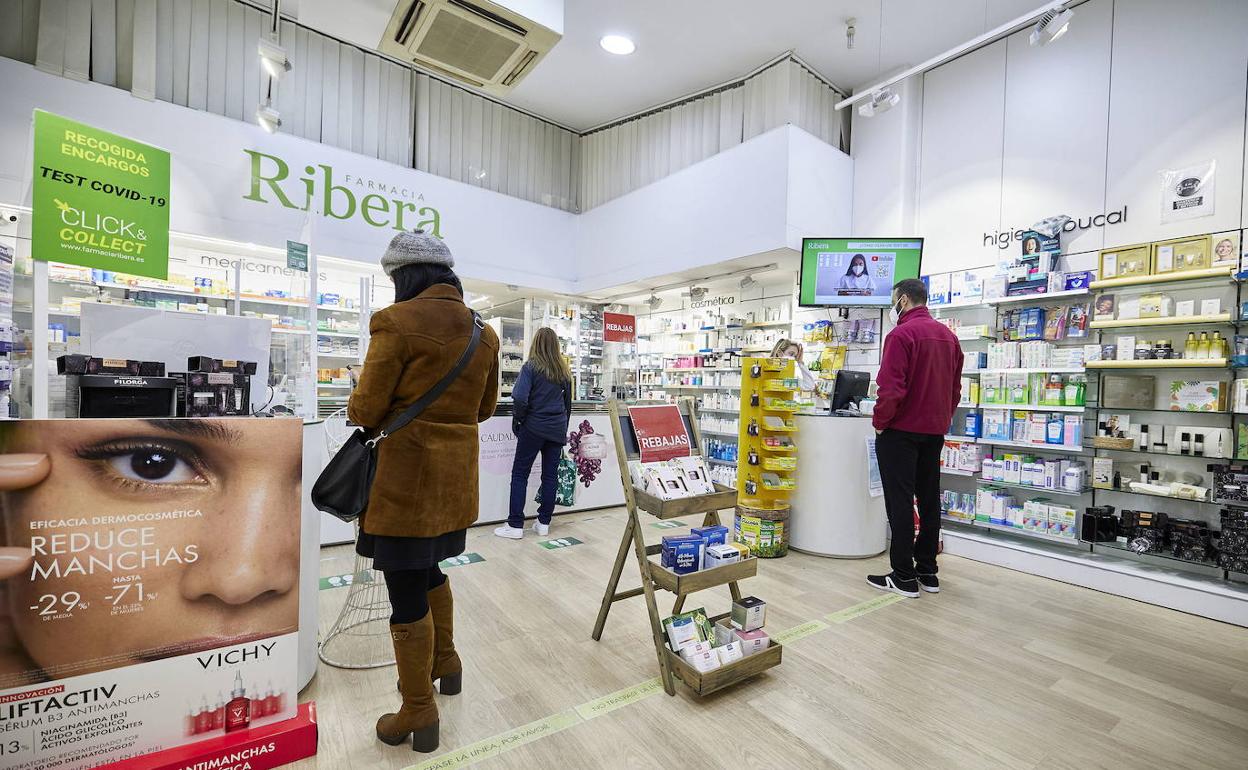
(542, 407)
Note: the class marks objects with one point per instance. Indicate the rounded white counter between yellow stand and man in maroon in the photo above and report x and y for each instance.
(833, 512)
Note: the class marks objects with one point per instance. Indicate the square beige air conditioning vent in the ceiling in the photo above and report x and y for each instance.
(480, 43)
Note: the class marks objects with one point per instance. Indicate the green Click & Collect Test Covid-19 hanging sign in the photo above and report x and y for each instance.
(100, 200)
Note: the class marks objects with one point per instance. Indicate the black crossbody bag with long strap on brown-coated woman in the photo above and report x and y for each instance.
(343, 489)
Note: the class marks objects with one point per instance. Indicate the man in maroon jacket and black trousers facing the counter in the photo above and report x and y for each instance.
(919, 389)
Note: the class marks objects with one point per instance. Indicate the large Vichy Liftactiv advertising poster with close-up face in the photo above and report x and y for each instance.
(149, 582)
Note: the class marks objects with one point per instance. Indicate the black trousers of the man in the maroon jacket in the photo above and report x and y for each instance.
(910, 471)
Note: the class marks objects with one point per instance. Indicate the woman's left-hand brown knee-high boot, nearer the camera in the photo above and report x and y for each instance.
(419, 716)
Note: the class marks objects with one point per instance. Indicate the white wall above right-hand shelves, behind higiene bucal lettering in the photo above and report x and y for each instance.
(1013, 134)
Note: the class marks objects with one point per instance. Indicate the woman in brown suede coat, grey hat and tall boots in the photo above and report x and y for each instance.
(425, 495)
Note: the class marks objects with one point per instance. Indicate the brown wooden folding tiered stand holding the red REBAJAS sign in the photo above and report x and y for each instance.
(656, 577)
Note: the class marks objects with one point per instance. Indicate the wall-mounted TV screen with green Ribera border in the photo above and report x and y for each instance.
(856, 273)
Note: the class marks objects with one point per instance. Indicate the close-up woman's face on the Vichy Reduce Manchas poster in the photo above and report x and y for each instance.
(152, 539)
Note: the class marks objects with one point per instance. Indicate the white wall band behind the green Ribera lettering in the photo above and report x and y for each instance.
(495, 238)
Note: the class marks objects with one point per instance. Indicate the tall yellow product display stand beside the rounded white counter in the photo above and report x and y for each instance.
(767, 454)
